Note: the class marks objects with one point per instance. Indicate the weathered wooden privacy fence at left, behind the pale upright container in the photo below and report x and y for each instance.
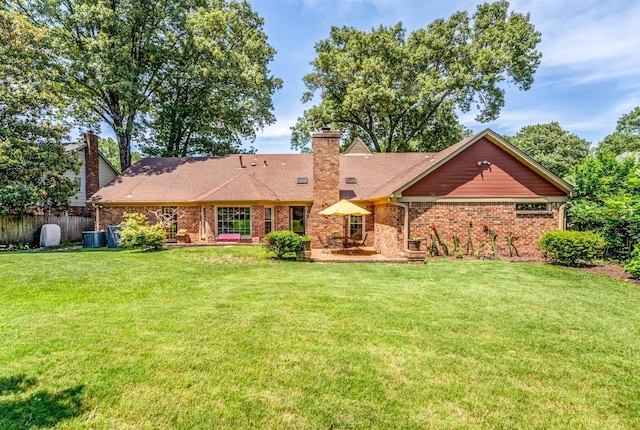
(26, 228)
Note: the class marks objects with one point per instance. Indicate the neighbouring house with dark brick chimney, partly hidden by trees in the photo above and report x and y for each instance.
(95, 172)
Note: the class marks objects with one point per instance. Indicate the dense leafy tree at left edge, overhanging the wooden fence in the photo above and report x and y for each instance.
(32, 160)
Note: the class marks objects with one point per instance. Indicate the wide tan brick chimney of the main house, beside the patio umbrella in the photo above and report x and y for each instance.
(326, 184)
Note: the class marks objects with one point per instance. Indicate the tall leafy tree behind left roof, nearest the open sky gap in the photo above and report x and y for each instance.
(224, 91)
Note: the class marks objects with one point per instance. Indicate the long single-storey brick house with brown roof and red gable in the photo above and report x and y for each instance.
(481, 183)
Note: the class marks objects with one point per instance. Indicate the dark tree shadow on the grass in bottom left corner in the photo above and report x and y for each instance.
(40, 409)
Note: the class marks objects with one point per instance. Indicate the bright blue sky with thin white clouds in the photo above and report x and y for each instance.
(588, 78)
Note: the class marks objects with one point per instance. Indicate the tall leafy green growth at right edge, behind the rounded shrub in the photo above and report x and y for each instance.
(606, 201)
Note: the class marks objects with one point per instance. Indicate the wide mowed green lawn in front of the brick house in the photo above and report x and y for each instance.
(227, 338)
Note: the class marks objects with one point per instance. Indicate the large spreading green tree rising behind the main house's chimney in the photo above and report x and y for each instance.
(402, 93)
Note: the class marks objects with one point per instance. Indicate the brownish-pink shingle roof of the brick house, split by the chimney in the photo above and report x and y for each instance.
(270, 177)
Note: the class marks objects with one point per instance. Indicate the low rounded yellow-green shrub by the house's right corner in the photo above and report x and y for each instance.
(572, 248)
